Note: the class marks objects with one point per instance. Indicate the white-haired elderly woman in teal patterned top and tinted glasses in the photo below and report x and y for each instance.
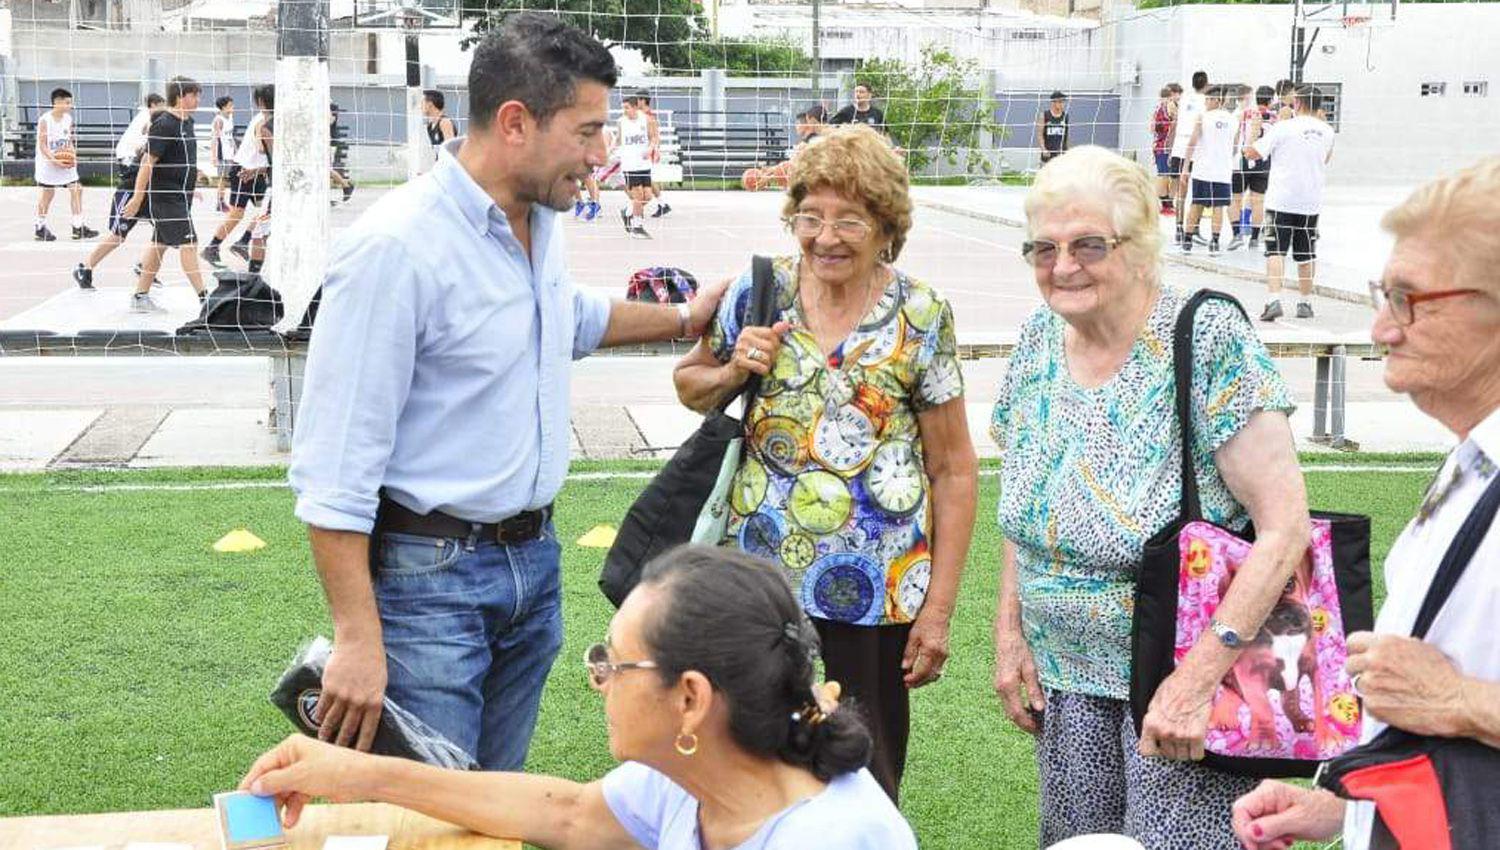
(1091, 471)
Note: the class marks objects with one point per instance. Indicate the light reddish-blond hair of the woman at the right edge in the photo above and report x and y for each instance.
(1460, 211)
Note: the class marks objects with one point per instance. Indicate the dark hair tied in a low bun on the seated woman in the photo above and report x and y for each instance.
(736, 620)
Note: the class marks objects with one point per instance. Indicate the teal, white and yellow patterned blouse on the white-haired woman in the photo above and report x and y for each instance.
(1091, 474)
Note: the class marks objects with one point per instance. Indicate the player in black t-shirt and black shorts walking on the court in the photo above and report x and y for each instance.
(164, 190)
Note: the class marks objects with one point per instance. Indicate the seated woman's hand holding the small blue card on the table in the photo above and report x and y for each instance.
(302, 768)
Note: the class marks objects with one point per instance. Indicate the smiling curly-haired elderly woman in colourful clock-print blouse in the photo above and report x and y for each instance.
(859, 476)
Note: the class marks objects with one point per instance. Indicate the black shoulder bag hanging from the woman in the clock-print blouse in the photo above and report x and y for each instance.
(667, 512)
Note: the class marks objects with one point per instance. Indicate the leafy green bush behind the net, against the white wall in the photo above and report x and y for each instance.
(935, 109)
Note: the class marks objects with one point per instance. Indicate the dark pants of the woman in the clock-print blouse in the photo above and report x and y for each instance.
(866, 662)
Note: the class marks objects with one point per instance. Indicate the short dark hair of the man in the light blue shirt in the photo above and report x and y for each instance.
(539, 61)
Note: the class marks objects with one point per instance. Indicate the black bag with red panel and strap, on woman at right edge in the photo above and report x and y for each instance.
(1430, 794)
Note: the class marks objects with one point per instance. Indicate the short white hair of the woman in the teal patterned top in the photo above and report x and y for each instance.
(1103, 179)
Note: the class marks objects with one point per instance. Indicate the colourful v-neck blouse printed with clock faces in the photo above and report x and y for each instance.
(833, 486)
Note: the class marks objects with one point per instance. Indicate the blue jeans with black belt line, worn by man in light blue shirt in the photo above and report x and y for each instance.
(470, 636)
